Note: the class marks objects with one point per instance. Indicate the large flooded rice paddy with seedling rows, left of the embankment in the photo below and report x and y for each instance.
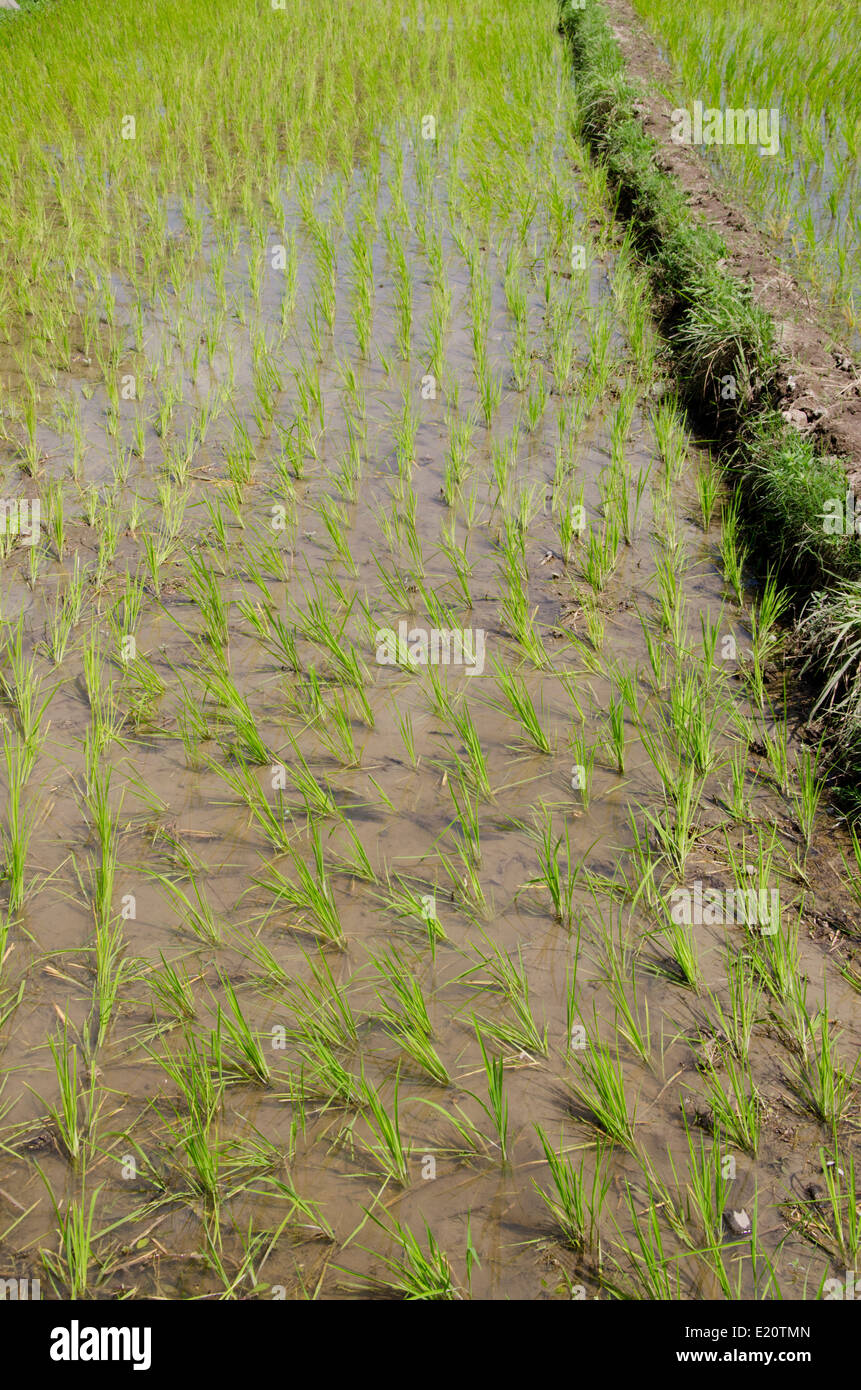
(417, 881)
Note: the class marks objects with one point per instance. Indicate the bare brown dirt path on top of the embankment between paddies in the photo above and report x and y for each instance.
(821, 383)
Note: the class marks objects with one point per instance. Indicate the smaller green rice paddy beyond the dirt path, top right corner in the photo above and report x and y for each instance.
(806, 66)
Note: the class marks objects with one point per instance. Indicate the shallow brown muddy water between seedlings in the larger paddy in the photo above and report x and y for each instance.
(154, 1234)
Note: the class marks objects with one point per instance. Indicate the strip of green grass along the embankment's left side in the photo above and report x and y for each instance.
(727, 361)
